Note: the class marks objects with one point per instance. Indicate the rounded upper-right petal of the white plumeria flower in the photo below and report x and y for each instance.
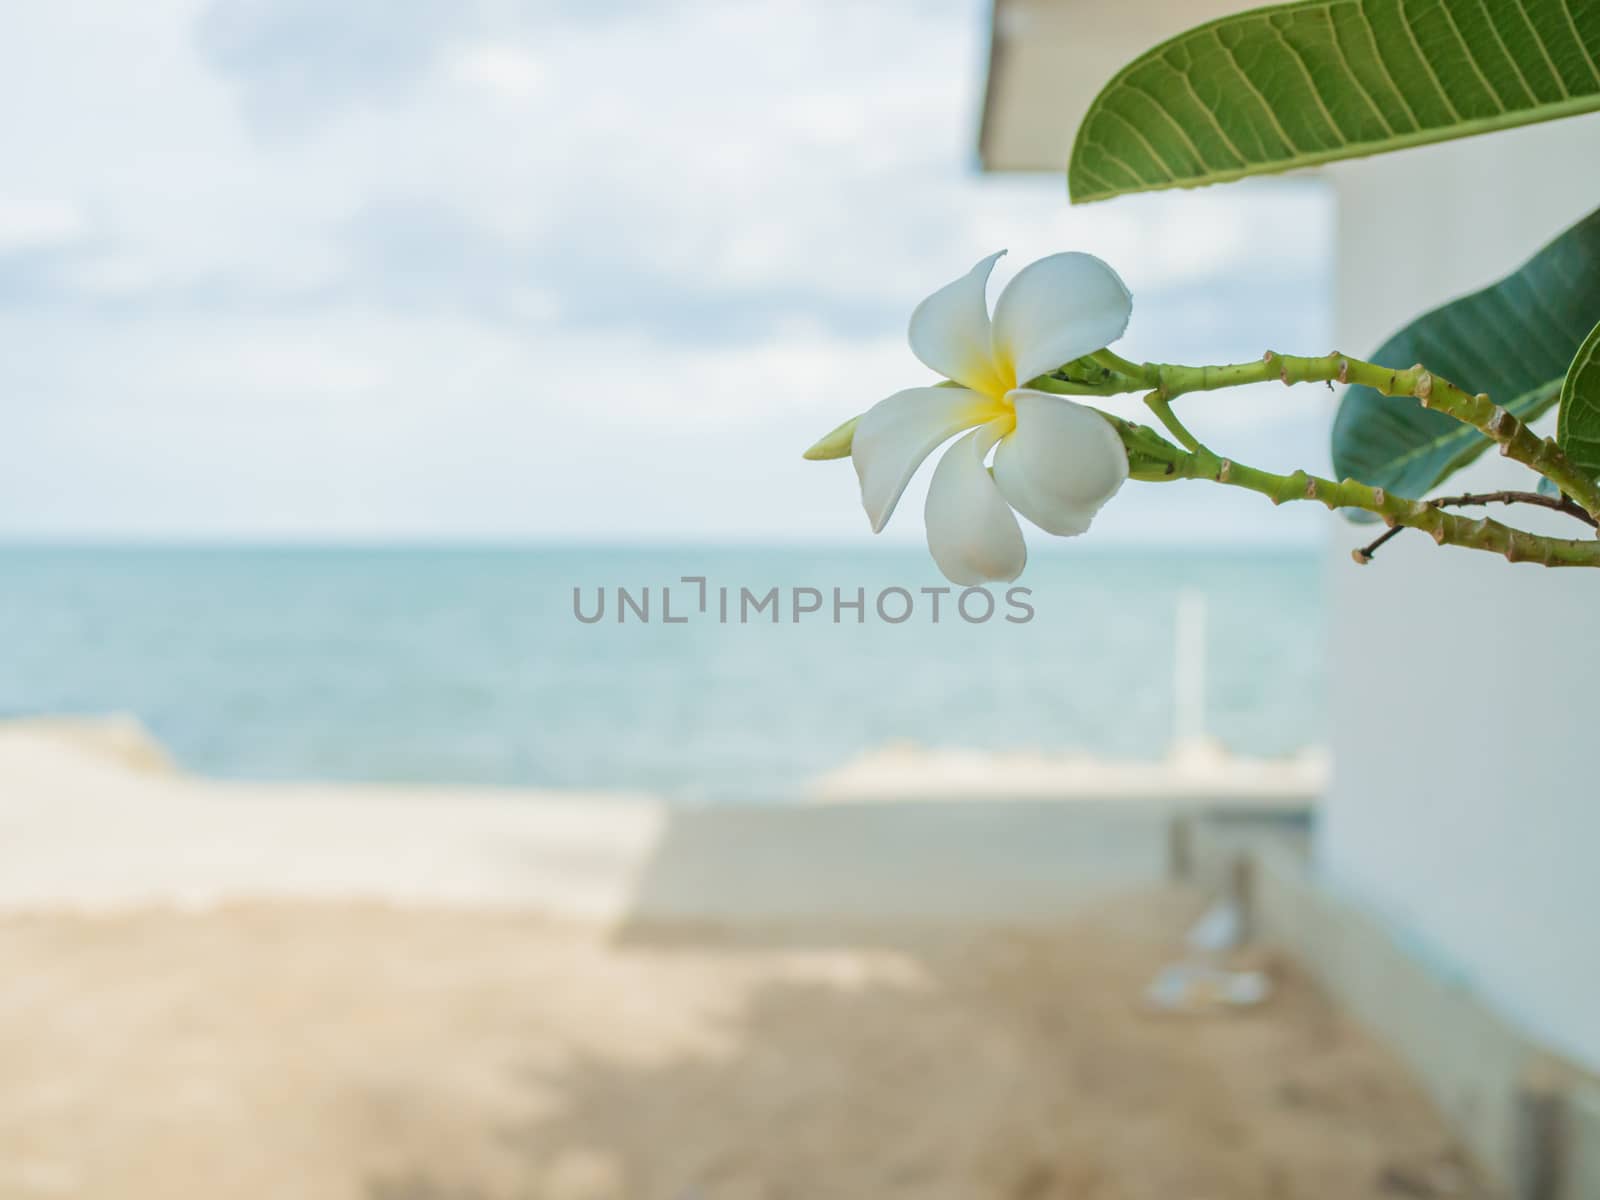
(1058, 310)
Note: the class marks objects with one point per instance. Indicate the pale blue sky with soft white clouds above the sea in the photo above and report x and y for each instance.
(548, 270)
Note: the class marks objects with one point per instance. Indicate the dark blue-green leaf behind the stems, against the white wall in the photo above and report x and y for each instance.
(1514, 340)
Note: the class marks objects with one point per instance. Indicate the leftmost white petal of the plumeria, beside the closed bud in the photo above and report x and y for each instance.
(897, 434)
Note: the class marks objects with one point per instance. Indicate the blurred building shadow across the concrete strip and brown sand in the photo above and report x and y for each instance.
(948, 1009)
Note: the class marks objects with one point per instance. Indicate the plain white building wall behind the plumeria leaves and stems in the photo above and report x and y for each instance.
(1463, 687)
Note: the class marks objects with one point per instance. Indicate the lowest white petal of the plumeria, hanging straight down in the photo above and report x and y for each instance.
(972, 532)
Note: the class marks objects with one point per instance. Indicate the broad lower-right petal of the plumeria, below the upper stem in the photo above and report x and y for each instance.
(1062, 463)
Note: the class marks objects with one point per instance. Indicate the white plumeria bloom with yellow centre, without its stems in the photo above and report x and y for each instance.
(1057, 462)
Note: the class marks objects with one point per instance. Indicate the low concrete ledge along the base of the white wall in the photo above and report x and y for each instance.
(1530, 1119)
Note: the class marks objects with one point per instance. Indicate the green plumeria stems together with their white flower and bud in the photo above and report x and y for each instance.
(1057, 460)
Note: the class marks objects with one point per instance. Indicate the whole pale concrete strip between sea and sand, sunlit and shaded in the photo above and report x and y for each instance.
(86, 828)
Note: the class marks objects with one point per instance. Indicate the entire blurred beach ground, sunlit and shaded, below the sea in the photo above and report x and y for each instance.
(449, 994)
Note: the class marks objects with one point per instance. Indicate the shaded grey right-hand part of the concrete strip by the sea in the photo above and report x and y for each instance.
(948, 862)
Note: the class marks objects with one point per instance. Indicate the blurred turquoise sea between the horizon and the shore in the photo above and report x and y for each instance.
(468, 665)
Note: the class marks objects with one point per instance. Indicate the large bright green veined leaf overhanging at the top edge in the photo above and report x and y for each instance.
(1303, 84)
